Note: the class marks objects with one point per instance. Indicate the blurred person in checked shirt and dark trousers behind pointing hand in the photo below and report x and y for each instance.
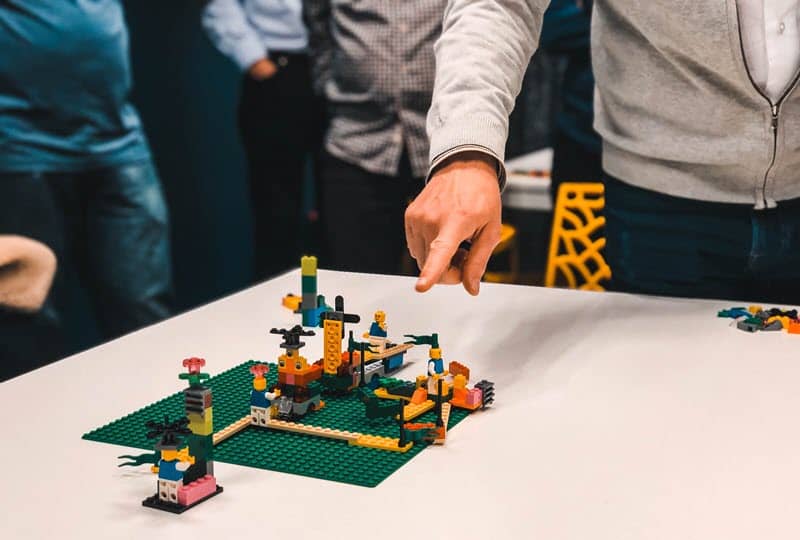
(374, 64)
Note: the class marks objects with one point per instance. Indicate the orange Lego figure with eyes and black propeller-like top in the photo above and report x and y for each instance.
(298, 391)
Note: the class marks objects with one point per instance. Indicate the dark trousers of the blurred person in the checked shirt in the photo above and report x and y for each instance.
(363, 215)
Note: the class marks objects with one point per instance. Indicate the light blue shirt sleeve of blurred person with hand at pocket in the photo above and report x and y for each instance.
(228, 29)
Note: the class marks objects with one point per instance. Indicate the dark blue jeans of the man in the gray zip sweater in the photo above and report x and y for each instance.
(663, 245)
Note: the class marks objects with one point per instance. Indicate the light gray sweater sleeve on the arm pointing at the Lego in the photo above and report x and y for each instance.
(481, 58)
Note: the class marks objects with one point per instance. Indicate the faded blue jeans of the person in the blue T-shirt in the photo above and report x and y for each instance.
(112, 229)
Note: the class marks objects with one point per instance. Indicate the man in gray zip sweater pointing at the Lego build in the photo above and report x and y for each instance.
(697, 106)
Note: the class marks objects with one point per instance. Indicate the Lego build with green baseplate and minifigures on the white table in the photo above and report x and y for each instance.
(364, 410)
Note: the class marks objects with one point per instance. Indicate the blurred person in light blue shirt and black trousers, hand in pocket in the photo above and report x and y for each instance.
(279, 117)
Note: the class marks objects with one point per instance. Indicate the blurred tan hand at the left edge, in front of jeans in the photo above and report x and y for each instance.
(27, 268)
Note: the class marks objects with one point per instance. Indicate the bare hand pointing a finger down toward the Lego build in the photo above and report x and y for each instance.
(461, 202)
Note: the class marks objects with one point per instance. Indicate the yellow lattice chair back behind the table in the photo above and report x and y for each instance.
(575, 259)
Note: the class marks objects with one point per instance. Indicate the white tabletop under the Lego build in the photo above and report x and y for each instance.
(617, 417)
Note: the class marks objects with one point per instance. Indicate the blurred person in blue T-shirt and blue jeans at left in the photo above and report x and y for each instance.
(71, 141)
